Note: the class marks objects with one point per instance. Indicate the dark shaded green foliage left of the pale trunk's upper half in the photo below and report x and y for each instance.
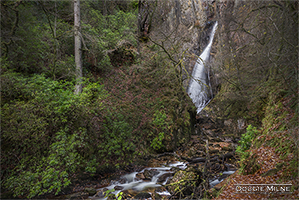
(34, 47)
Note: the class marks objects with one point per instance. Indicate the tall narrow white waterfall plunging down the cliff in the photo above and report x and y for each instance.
(199, 83)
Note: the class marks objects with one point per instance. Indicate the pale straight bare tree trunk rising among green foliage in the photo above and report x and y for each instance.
(78, 52)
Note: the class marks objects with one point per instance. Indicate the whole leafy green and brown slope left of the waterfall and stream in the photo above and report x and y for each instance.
(48, 133)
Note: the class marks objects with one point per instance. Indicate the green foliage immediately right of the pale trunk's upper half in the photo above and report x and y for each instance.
(110, 30)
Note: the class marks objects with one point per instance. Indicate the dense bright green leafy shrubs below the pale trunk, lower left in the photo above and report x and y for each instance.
(45, 128)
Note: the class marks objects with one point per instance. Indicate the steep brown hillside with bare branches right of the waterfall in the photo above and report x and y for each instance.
(257, 67)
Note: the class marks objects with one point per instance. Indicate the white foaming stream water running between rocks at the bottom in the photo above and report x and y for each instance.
(143, 184)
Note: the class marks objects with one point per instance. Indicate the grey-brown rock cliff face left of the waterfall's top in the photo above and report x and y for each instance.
(182, 25)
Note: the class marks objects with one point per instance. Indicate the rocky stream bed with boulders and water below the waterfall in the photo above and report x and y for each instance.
(189, 172)
